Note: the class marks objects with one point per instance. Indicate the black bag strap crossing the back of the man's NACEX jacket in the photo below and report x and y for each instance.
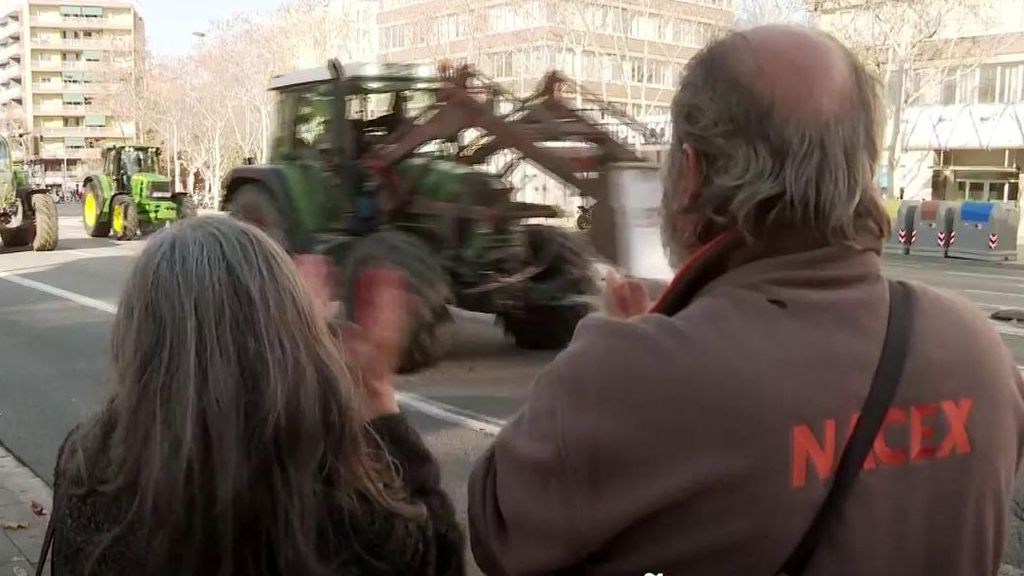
(880, 397)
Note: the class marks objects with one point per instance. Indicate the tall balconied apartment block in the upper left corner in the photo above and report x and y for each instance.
(63, 66)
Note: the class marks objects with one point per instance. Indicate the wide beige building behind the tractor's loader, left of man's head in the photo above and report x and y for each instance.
(629, 52)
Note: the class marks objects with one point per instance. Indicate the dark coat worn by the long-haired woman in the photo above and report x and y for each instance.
(379, 544)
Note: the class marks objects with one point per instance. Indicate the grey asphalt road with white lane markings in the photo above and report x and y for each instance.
(56, 314)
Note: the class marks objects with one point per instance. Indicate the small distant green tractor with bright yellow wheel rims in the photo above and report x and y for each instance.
(131, 196)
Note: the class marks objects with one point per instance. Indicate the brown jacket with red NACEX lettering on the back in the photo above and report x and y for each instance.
(702, 443)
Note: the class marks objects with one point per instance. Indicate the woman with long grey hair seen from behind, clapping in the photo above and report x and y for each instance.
(237, 441)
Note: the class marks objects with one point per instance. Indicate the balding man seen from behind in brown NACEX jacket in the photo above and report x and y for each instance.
(701, 437)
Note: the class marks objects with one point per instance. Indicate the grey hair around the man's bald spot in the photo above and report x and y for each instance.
(765, 170)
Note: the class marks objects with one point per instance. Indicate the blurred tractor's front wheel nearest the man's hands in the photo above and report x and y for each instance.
(568, 274)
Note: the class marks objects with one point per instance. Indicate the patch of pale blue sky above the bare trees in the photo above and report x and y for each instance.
(169, 24)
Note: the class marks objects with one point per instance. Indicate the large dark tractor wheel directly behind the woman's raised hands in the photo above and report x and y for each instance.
(430, 328)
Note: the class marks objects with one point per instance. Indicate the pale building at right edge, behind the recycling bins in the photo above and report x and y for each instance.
(962, 127)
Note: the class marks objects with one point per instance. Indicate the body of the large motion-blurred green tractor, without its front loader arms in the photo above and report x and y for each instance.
(451, 227)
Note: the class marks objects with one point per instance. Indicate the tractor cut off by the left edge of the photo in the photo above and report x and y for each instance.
(28, 213)
